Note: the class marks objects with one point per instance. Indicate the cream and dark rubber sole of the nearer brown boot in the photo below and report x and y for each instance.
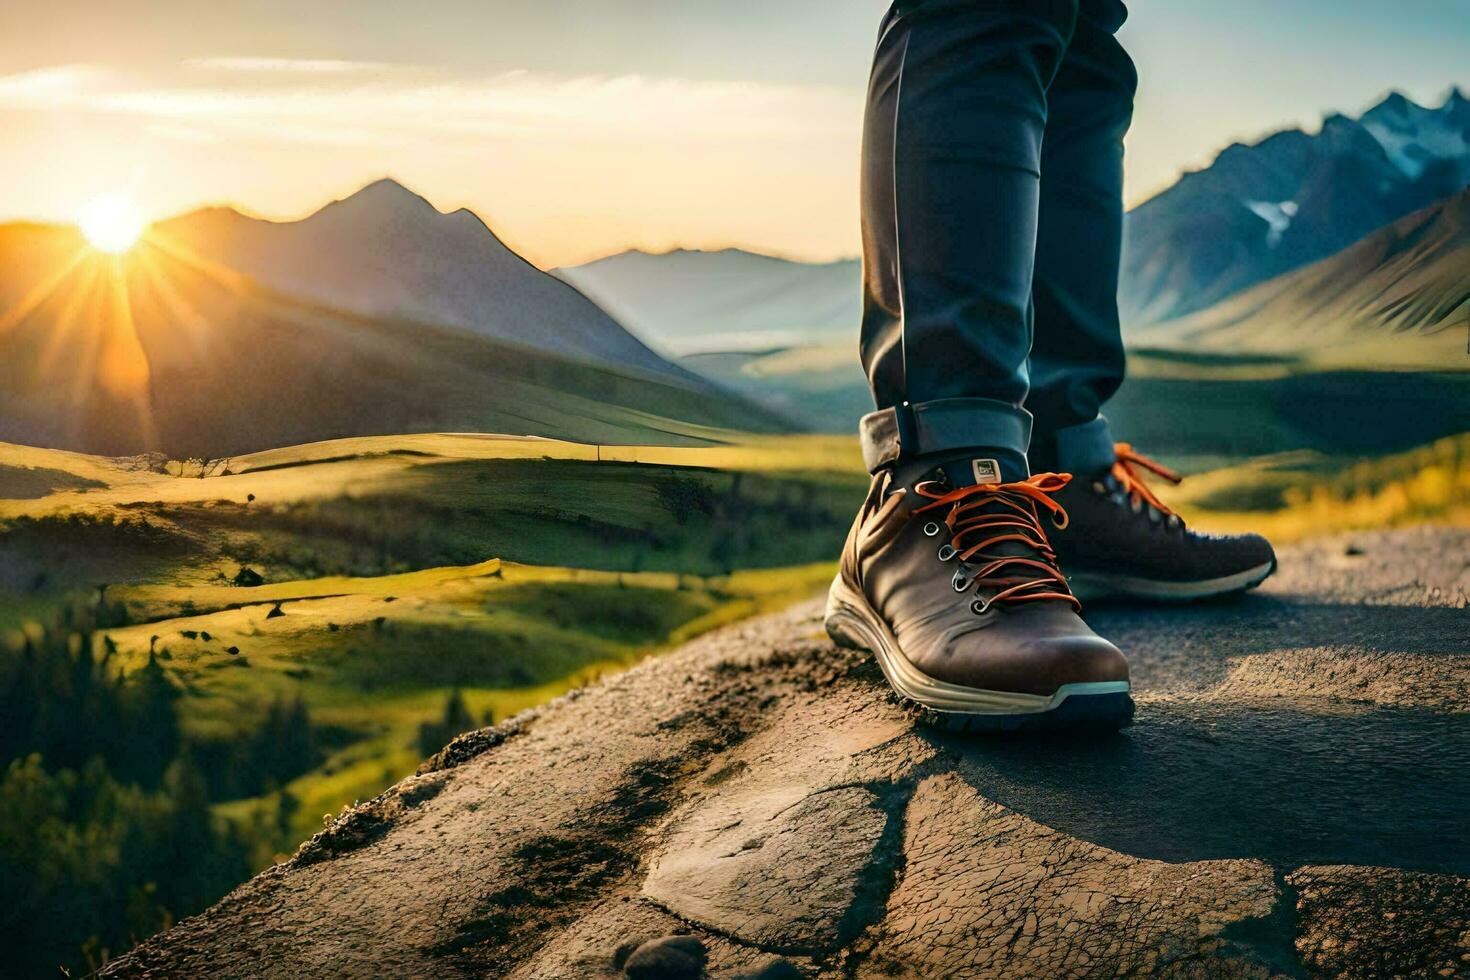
(852, 622)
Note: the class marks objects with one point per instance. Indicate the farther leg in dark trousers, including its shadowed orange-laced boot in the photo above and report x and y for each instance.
(1121, 538)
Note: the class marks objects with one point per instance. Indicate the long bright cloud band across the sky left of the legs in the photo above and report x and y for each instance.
(402, 102)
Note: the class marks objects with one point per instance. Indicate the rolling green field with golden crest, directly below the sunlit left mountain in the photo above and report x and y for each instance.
(409, 503)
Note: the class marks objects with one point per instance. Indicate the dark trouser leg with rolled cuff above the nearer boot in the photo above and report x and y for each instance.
(952, 186)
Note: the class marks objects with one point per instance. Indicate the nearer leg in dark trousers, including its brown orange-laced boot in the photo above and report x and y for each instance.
(947, 575)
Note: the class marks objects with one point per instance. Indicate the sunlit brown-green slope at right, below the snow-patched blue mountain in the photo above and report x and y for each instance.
(1402, 296)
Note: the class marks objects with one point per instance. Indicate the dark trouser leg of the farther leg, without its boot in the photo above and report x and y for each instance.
(1077, 358)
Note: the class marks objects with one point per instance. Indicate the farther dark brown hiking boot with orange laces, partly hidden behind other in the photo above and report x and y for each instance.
(1124, 543)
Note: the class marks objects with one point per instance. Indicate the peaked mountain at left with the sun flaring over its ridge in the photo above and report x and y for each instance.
(176, 349)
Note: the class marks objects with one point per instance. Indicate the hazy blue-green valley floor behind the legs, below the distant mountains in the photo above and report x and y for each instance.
(1199, 409)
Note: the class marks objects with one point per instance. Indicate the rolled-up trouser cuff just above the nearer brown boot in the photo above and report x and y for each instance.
(944, 425)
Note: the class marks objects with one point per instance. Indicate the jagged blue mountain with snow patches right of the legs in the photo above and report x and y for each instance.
(1294, 198)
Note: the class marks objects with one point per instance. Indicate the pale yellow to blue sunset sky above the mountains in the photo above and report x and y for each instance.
(578, 129)
